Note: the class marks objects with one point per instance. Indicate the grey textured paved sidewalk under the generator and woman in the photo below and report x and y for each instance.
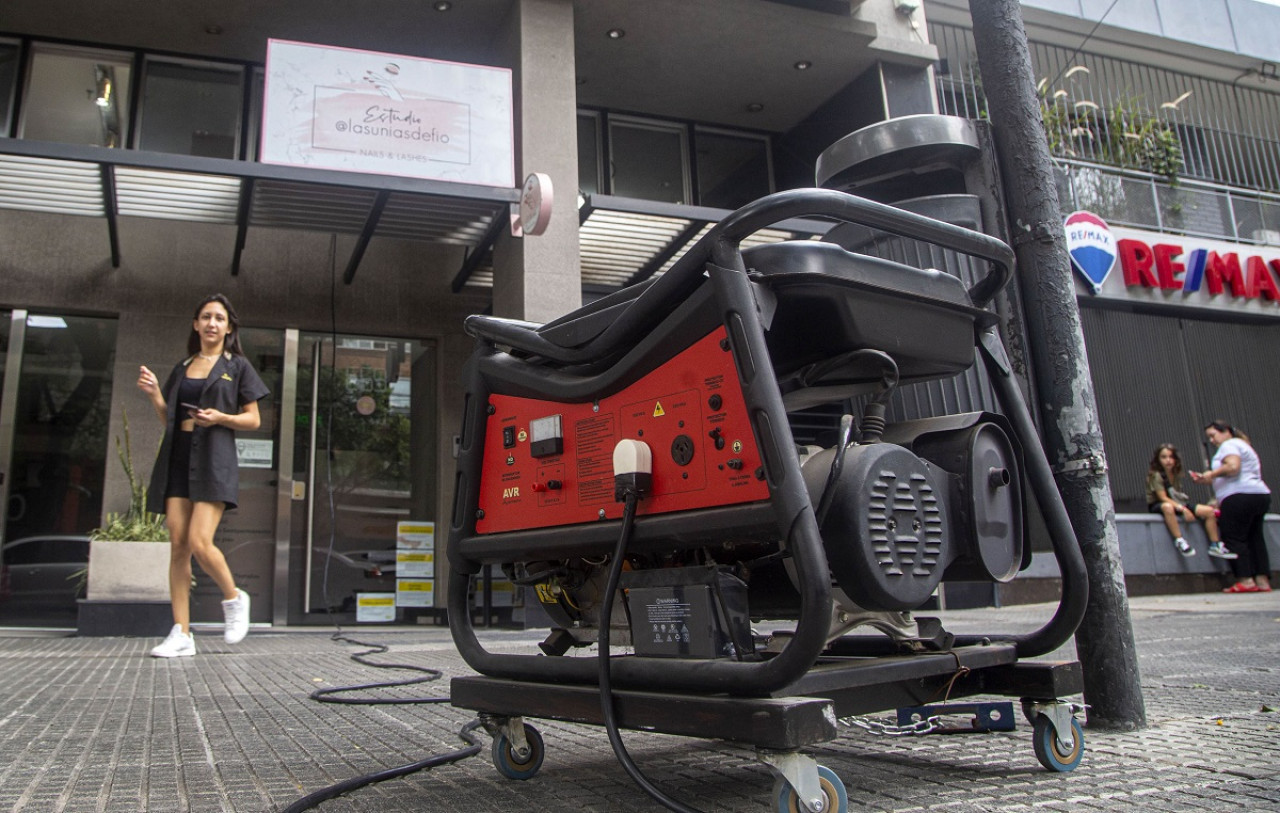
(97, 725)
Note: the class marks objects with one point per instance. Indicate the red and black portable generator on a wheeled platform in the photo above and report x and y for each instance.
(638, 454)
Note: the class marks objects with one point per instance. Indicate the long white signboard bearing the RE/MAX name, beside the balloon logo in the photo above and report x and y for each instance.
(1191, 272)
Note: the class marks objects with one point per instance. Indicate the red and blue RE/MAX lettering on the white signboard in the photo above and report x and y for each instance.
(1169, 267)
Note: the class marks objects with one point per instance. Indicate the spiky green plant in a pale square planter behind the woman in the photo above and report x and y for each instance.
(129, 572)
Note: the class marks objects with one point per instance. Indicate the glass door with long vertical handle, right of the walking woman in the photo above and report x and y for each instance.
(365, 451)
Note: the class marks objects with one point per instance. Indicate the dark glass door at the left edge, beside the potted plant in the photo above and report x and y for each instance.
(56, 396)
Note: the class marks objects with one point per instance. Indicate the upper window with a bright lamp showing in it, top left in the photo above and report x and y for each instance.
(77, 97)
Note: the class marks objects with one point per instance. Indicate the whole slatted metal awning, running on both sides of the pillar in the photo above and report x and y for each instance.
(623, 241)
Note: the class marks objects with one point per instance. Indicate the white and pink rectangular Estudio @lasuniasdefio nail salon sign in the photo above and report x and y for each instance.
(332, 108)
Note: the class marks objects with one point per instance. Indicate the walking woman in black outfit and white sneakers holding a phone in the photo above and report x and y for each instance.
(207, 398)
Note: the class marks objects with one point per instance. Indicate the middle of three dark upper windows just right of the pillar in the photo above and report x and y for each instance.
(648, 161)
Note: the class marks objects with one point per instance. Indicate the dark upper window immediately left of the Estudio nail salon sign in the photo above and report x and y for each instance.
(191, 109)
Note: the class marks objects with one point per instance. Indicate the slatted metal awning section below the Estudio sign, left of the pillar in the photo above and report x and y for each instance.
(108, 184)
